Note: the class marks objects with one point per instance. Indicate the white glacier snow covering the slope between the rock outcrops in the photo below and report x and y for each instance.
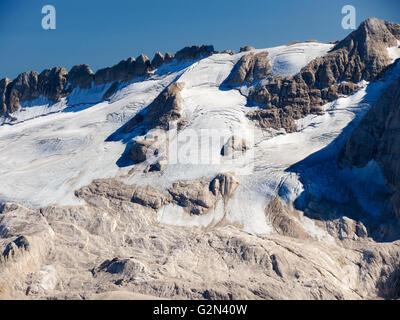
(54, 150)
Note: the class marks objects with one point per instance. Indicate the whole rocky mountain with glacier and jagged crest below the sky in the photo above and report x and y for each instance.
(263, 174)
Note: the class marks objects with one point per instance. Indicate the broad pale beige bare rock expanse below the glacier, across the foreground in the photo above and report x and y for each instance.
(112, 245)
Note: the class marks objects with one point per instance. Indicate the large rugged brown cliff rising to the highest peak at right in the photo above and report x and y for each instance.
(362, 55)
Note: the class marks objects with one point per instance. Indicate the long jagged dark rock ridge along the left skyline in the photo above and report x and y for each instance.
(57, 83)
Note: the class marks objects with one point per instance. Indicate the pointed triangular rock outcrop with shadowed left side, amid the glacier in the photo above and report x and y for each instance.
(166, 107)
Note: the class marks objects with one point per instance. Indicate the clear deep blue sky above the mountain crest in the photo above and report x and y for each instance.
(101, 32)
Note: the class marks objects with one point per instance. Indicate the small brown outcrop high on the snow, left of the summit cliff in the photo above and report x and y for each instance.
(250, 68)
